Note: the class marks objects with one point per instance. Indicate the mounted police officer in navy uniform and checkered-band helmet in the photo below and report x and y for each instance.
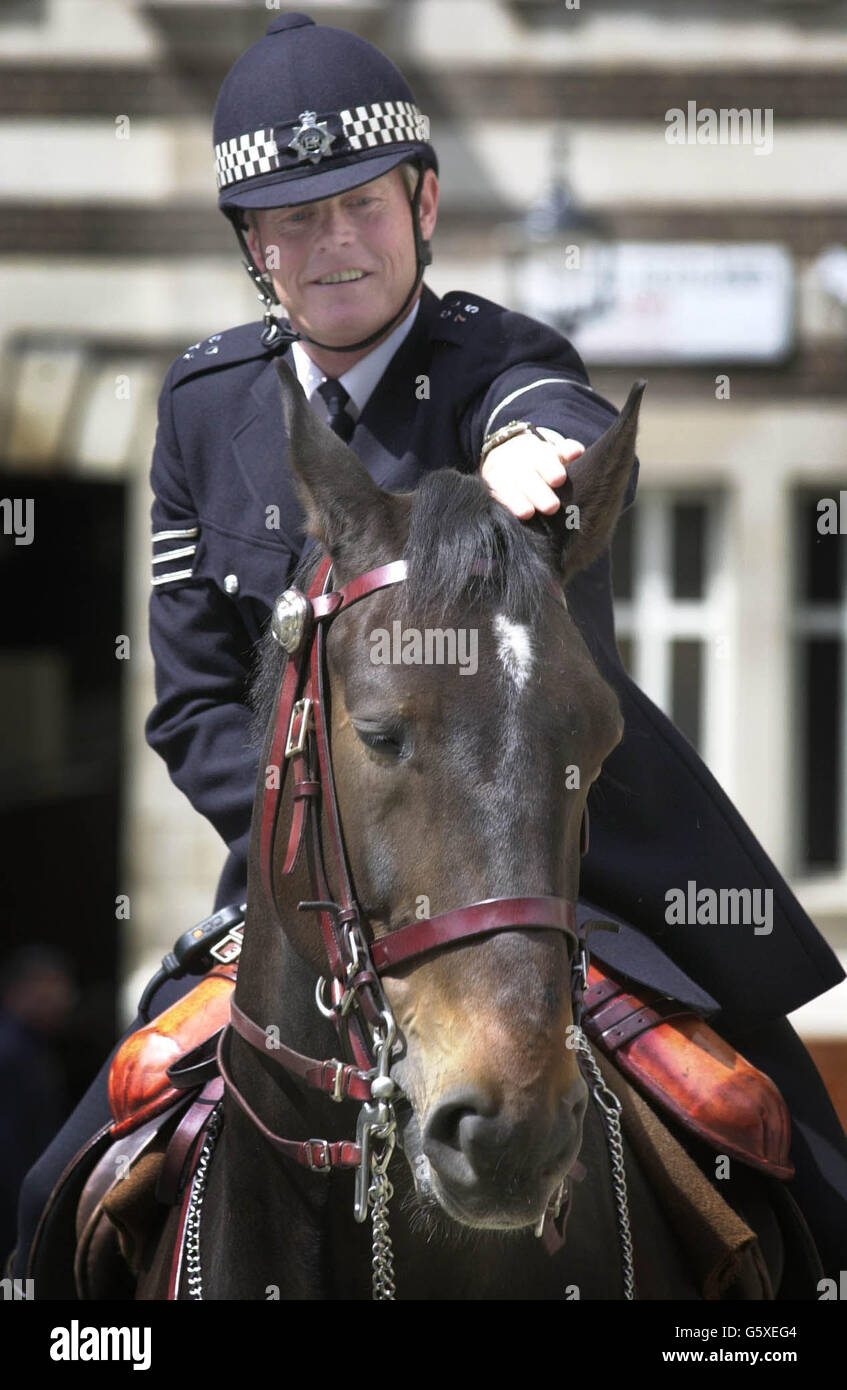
(329, 179)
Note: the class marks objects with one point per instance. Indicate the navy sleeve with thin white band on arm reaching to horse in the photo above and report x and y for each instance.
(544, 383)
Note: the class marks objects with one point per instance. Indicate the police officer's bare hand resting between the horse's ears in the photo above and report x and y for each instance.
(522, 472)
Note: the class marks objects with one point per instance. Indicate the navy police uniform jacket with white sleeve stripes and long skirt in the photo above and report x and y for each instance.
(659, 818)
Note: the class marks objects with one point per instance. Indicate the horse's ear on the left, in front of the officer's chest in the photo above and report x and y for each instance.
(346, 509)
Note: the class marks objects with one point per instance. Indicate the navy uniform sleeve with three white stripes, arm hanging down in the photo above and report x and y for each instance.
(202, 657)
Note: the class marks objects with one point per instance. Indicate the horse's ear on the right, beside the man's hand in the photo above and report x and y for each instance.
(593, 494)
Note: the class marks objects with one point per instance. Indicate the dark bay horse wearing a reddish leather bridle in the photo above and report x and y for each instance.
(411, 892)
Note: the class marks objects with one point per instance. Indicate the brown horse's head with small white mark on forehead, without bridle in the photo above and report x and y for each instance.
(468, 725)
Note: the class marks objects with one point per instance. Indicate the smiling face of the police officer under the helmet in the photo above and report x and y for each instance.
(364, 234)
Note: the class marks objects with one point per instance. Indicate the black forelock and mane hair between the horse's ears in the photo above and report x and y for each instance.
(454, 525)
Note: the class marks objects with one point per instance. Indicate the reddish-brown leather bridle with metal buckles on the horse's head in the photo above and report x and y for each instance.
(358, 1006)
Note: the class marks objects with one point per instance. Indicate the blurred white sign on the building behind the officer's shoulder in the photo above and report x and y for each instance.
(665, 301)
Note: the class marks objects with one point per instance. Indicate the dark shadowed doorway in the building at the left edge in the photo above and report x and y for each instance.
(62, 579)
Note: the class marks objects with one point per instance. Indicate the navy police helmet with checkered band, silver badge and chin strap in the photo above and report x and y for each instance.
(307, 113)
